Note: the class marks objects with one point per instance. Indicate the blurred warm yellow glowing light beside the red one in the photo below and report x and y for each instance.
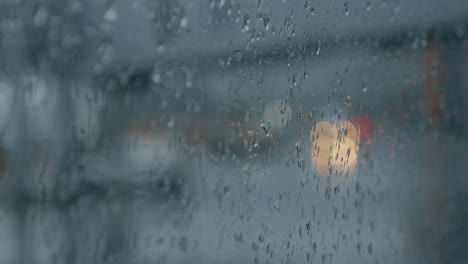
(335, 147)
